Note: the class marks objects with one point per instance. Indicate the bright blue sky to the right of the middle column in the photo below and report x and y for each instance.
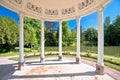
(91, 20)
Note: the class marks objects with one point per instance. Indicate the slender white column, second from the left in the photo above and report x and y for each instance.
(42, 41)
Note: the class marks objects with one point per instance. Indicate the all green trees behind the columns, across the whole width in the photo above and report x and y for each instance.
(32, 33)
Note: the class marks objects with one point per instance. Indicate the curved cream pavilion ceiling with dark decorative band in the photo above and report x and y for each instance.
(54, 9)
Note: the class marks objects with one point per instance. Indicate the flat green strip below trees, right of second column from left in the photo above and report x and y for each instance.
(108, 50)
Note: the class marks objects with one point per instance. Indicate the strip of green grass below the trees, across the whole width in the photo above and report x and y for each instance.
(108, 50)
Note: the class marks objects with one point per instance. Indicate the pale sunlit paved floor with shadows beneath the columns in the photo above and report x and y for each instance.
(53, 70)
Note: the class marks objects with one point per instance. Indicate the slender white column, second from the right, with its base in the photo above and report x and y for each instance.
(78, 58)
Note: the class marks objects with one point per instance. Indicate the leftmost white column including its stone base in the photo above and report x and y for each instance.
(21, 41)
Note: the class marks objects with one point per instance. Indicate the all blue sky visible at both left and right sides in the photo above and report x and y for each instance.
(91, 20)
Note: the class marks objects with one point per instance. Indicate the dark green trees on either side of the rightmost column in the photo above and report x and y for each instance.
(111, 33)
